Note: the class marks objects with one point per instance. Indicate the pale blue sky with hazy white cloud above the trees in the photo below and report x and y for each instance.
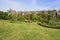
(29, 5)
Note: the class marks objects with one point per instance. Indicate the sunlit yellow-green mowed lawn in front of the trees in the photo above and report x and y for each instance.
(26, 31)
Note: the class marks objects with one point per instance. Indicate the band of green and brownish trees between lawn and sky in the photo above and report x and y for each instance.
(42, 16)
